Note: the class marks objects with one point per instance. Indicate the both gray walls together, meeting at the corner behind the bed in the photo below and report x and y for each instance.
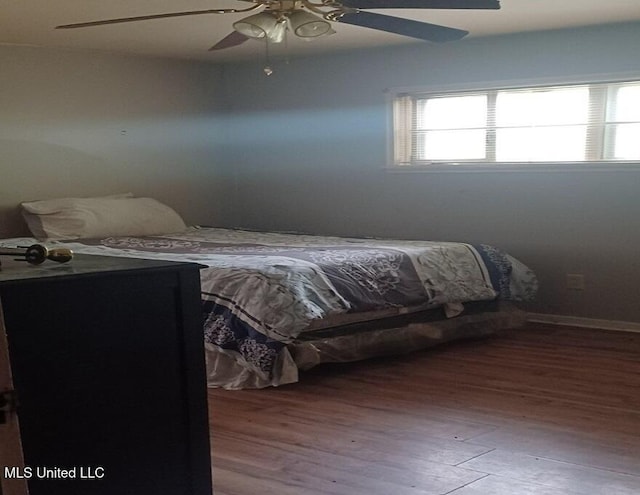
(304, 149)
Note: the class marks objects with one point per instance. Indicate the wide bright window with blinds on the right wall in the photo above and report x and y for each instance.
(551, 124)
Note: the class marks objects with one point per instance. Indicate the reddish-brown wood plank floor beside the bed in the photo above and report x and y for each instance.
(540, 411)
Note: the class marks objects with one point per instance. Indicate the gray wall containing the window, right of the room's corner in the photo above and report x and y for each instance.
(307, 146)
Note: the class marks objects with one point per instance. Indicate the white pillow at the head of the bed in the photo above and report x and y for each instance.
(84, 218)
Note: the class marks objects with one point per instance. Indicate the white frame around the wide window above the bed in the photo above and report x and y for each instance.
(513, 166)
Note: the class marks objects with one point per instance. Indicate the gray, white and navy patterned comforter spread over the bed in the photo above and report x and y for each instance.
(261, 290)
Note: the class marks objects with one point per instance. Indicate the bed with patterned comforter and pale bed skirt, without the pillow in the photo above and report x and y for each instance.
(277, 303)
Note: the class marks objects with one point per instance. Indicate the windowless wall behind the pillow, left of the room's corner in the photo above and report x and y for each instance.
(81, 124)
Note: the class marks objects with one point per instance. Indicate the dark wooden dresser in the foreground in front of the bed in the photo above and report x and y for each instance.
(107, 361)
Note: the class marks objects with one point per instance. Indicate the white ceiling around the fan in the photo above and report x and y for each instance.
(32, 22)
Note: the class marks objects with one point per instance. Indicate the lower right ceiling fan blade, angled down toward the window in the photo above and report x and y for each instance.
(405, 27)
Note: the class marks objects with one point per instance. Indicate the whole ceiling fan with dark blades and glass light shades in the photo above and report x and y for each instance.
(311, 19)
